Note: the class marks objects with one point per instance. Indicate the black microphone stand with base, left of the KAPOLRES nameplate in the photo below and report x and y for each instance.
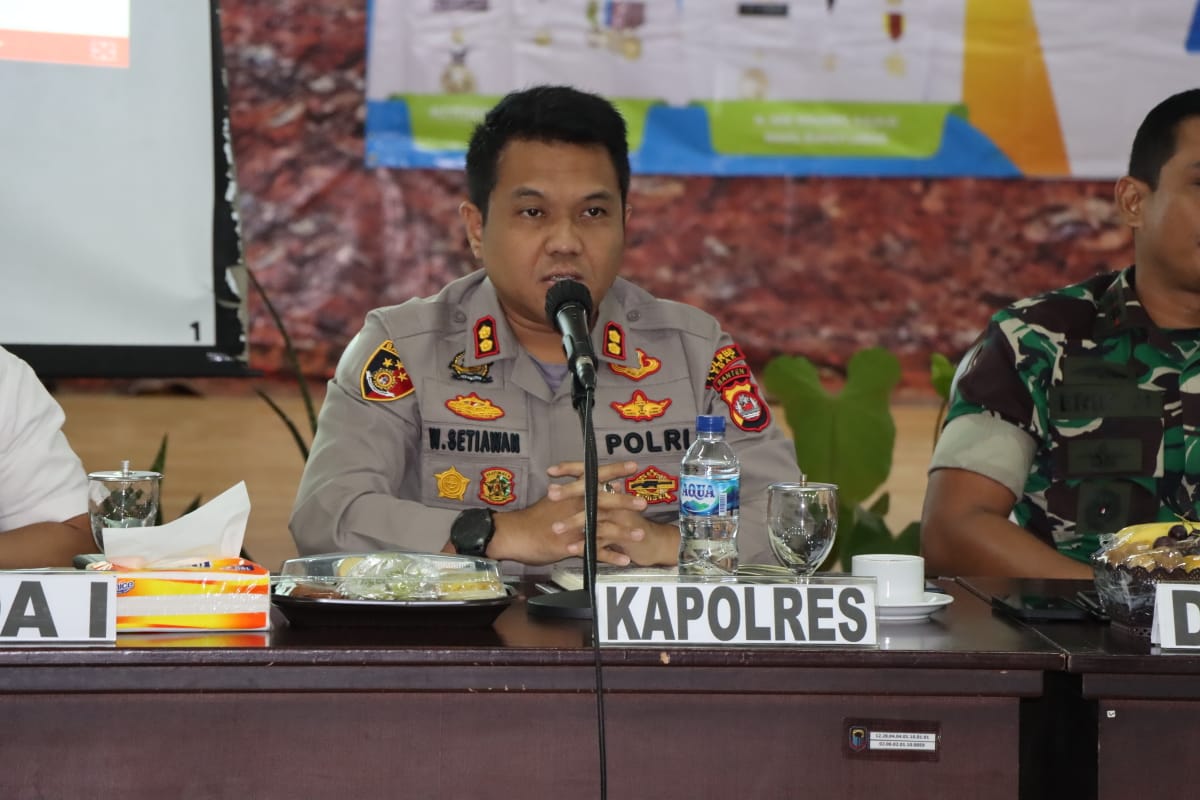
(579, 604)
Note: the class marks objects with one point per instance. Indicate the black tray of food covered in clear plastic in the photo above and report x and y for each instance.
(391, 590)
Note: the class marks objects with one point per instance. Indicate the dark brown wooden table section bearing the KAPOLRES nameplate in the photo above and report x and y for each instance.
(511, 712)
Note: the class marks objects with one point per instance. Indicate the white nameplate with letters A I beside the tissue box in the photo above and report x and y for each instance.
(58, 607)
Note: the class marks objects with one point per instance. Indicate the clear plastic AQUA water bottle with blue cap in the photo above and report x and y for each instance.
(710, 480)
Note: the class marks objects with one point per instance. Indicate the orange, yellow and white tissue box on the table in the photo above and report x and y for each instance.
(224, 596)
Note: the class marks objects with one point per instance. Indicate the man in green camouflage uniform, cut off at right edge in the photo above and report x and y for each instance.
(1078, 413)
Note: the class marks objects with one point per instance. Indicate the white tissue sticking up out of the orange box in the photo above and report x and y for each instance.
(214, 531)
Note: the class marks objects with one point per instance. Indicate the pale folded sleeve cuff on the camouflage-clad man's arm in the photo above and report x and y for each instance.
(989, 447)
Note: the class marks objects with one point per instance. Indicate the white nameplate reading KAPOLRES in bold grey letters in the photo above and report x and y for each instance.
(736, 613)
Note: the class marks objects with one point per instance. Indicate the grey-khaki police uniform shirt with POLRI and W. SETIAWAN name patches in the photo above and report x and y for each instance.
(436, 408)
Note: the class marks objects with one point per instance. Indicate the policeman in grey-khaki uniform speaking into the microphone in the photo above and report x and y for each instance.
(449, 423)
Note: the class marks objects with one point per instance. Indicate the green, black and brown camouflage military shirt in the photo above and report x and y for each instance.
(1112, 401)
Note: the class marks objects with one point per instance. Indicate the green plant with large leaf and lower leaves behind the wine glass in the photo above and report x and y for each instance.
(847, 438)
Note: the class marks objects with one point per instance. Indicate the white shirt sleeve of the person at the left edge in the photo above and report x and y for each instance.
(41, 478)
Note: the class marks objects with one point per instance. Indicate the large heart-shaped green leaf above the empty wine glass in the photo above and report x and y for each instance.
(845, 438)
